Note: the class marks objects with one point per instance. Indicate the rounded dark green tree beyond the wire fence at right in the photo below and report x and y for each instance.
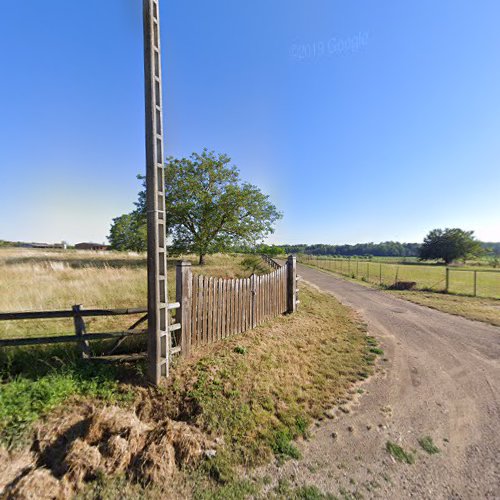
(450, 245)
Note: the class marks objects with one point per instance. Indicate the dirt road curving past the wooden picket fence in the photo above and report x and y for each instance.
(439, 377)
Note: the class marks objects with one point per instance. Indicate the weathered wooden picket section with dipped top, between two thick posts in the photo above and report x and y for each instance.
(214, 308)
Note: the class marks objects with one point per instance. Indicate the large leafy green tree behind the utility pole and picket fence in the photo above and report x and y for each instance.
(208, 207)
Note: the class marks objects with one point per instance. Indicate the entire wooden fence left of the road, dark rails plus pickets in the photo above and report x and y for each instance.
(207, 310)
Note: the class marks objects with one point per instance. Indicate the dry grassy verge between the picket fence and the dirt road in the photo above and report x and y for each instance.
(260, 391)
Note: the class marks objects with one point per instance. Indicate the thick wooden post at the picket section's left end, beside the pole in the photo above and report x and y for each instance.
(184, 295)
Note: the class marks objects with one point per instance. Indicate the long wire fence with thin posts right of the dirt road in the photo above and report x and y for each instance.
(474, 282)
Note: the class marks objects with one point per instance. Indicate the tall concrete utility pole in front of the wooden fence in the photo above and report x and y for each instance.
(158, 325)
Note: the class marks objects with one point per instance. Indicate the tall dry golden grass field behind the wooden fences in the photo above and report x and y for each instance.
(36, 280)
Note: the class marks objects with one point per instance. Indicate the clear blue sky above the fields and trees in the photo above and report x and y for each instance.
(364, 121)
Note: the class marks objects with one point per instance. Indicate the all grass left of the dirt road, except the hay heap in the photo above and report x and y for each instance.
(257, 392)
